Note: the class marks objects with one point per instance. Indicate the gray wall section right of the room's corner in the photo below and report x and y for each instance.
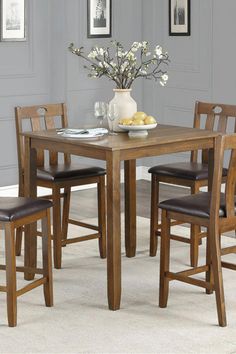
(202, 65)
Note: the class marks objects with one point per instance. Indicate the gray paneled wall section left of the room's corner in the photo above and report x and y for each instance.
(42, 70)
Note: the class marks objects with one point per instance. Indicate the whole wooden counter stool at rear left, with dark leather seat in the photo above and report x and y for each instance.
(59, 176)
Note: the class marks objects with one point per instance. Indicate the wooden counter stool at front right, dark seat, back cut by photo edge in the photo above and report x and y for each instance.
(213, 210)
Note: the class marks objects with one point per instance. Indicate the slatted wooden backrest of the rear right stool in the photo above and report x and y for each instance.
(215, 117)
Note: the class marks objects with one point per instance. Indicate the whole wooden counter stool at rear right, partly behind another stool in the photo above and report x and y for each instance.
(192, 174)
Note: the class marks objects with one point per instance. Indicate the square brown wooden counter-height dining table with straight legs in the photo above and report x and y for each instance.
(113, 149)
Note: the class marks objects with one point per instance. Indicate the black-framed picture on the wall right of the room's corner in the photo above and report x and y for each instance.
(179, 17)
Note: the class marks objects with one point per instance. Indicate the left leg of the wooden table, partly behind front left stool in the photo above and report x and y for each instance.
(30, 253)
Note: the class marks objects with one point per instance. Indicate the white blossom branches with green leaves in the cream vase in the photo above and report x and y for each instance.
(124, 66)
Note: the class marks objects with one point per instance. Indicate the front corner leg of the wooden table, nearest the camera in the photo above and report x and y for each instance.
(113, 231)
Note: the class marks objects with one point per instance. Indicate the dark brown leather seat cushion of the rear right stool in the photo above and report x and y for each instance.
(186, 170)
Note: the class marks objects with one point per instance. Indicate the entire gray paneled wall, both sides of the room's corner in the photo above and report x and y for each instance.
(41, 69)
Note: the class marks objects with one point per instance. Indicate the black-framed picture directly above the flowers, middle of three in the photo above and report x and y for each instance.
(99, 18)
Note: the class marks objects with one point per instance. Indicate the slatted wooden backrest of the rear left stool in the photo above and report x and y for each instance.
(39, 117)
